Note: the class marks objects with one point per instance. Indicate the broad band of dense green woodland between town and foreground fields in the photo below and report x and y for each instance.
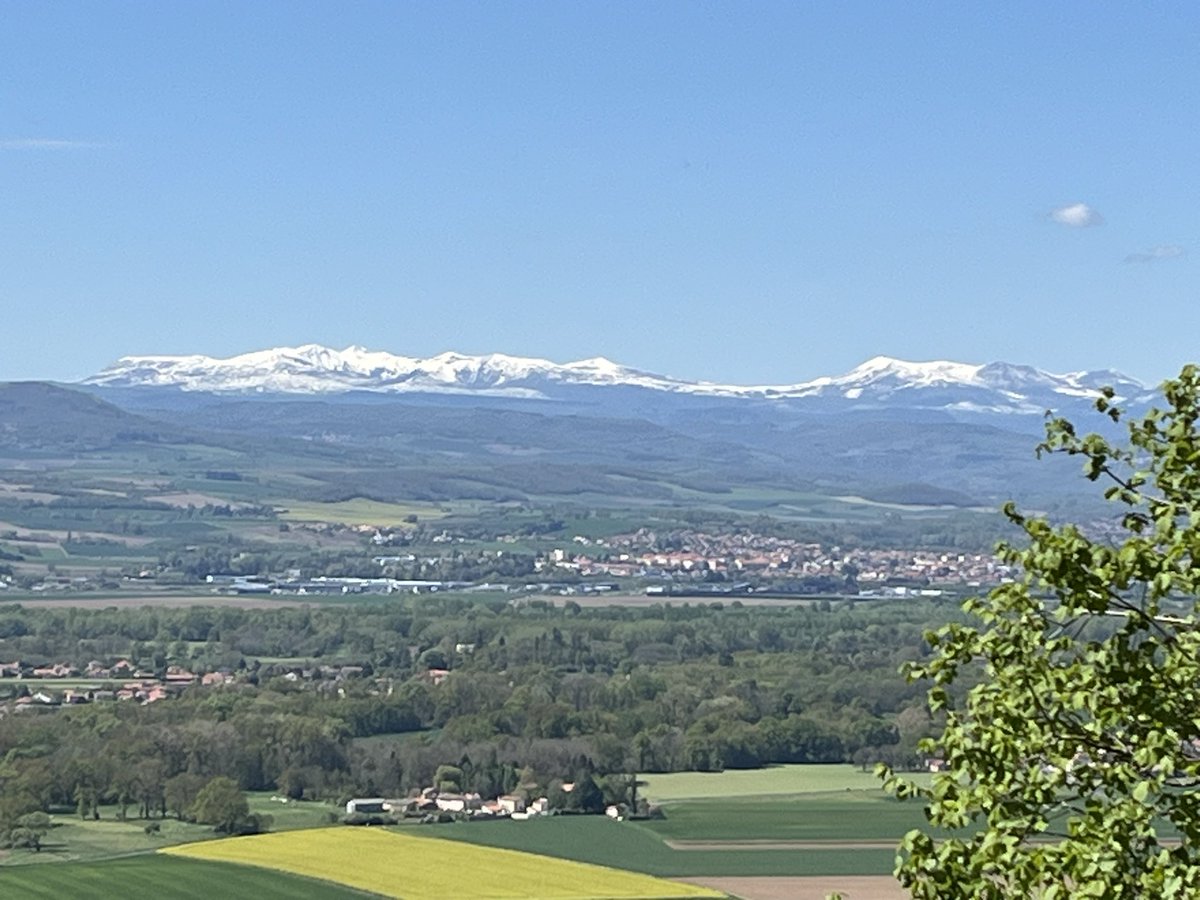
(524, 698)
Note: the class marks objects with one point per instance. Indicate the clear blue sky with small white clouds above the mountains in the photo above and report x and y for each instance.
(740, 193)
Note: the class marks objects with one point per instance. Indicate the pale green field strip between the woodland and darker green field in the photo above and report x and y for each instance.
(775, 779)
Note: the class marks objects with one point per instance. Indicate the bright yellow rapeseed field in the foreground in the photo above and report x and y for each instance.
(403, 866)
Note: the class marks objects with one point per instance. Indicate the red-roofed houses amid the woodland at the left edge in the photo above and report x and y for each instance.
(97, 682)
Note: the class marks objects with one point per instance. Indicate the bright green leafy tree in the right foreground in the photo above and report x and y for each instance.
(1073, 763)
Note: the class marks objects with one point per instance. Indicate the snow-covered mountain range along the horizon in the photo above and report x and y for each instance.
(313, 369)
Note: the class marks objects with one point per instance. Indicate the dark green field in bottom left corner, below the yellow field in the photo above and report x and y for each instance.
(153, 877)
